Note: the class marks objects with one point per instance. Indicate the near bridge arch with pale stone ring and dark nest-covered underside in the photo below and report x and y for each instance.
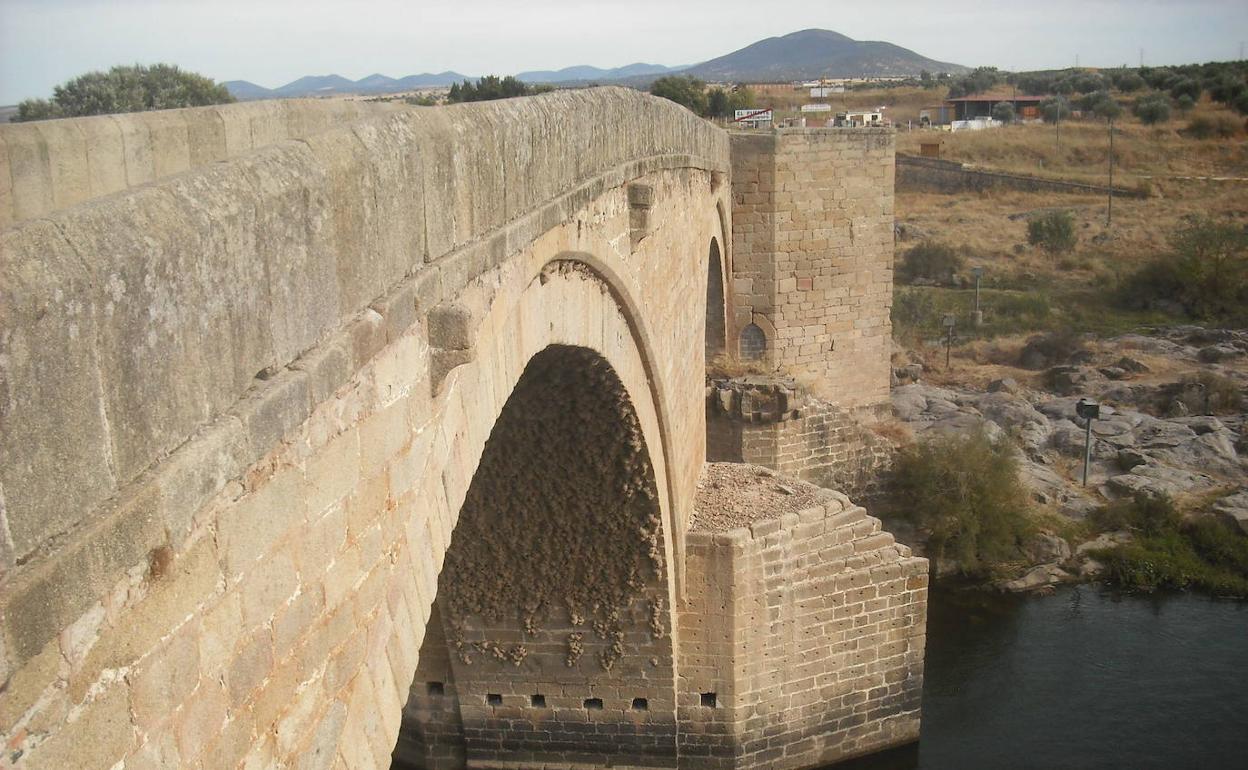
(596, 621)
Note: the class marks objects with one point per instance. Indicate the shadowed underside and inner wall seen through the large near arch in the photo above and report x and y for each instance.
(552, 605)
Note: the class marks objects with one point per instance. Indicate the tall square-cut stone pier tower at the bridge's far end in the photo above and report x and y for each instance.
(813, 254)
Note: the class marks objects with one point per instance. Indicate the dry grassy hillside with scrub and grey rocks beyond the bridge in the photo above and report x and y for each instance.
(1143, 310)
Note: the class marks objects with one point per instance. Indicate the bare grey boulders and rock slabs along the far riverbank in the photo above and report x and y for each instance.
(1158, 436)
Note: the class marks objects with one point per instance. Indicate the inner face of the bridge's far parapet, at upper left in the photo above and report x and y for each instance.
(51, 165)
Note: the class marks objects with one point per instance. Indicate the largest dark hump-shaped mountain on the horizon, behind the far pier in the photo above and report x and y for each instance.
(818, 54)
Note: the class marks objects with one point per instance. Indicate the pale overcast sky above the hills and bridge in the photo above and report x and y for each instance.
(44, 43)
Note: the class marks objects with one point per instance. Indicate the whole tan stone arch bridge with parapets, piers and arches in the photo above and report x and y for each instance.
(335, 435)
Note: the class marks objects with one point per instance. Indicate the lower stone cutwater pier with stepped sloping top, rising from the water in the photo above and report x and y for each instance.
(802, 642)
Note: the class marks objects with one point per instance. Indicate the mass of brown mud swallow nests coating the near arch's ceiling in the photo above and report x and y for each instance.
(562, 514)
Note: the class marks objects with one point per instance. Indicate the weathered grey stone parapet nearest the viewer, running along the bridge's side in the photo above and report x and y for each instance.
(135, 320)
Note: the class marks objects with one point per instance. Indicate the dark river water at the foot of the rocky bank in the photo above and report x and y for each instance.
(1083, 678)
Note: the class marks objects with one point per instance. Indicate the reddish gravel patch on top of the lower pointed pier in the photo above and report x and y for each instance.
(734, 495)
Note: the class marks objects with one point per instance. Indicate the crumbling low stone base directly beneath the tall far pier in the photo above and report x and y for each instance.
(776, 424)
